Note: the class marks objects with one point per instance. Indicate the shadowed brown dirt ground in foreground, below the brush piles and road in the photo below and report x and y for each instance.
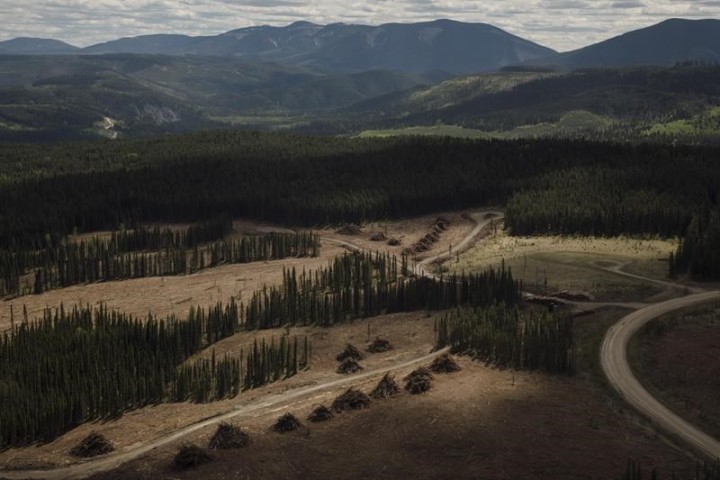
(477, 423)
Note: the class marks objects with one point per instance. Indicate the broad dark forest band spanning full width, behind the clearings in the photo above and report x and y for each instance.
(549, 185)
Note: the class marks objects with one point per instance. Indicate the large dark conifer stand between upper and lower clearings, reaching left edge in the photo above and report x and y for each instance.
(88, 363)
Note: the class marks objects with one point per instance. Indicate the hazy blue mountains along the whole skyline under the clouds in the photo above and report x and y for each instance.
(453, 47)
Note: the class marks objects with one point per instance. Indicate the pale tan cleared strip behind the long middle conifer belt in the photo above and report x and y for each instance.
(176, 294)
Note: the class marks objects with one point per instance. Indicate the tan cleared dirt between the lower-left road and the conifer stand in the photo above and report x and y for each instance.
(411, 334)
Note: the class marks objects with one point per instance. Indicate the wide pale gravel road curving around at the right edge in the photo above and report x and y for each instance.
(613, 358)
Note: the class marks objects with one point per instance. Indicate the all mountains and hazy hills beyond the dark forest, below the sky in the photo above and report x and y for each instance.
(344, 78)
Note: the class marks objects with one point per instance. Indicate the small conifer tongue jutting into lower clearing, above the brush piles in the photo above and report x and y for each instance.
(211, 379)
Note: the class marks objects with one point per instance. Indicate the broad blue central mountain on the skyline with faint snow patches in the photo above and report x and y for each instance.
(446, 45)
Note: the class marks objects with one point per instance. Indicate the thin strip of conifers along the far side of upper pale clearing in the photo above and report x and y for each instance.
(118, 258)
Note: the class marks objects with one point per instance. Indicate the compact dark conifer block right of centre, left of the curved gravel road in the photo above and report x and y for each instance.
(501, 335)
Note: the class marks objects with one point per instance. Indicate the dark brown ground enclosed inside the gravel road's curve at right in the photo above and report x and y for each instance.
(677, 358)
